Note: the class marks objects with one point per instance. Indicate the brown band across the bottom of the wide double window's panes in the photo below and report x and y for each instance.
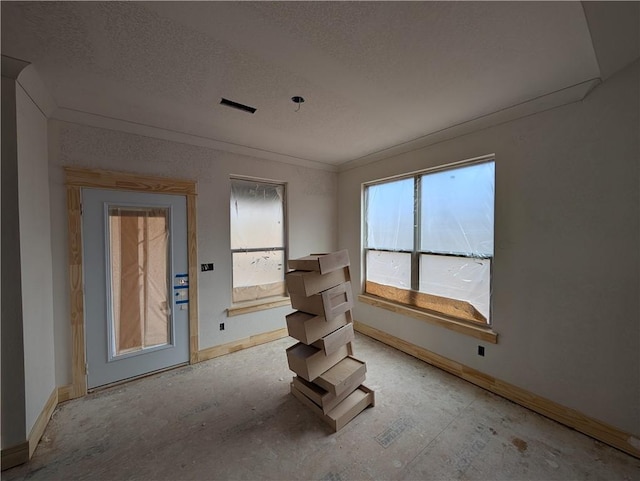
(441, 305)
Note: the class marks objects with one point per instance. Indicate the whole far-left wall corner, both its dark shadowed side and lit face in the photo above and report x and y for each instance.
(28, 374)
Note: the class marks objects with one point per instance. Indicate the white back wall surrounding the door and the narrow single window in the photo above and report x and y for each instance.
(311, 203)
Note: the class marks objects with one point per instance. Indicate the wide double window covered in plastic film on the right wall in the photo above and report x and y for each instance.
(429, 240)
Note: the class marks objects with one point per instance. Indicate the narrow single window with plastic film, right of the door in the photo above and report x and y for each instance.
(257, 239)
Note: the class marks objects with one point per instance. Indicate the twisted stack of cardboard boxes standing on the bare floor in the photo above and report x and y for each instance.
(328, 378)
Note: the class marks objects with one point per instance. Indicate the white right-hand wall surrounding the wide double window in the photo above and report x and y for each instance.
(566, 270)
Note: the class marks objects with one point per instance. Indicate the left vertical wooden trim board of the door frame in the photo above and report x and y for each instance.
(78, 362)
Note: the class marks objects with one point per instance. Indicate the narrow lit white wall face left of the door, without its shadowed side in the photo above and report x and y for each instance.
(35, 256)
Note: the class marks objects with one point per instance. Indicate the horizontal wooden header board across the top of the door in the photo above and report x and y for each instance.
(106, 179)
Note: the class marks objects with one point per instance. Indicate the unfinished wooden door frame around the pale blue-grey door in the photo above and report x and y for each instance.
(77, 178)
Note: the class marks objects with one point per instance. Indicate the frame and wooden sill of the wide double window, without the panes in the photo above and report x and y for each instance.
(471, 326)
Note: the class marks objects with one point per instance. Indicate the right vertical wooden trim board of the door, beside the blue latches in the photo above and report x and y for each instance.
(192, 245)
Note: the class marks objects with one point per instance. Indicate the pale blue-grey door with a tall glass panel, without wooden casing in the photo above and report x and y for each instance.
(135, 283)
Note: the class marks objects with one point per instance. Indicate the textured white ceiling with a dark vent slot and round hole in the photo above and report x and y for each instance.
(374, 75)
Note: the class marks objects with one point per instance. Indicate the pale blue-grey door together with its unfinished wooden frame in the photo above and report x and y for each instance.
(134, 309)
